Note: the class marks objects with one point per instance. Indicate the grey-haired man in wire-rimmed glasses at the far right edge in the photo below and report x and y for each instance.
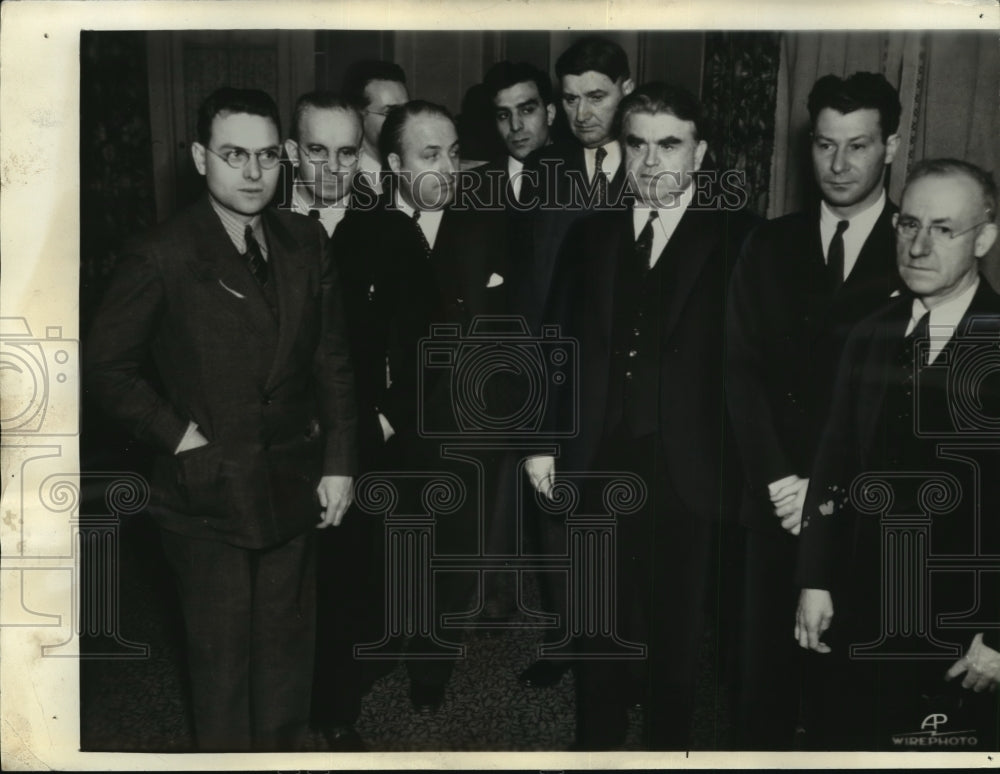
(898, 407)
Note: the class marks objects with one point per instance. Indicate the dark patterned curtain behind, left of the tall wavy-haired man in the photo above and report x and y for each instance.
(740, 83)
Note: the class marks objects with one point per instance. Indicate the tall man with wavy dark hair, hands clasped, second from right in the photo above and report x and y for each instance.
(804, 280)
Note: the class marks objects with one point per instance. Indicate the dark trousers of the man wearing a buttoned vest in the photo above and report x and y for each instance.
(663, 560)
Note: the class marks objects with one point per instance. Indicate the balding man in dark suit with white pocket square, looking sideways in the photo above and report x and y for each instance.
(414, 261)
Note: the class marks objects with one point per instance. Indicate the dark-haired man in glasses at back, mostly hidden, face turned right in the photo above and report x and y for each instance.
(374, 87)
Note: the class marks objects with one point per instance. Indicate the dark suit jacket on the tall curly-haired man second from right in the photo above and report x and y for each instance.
(785, 333)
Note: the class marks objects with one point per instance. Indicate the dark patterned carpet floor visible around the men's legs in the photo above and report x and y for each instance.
(140, 704)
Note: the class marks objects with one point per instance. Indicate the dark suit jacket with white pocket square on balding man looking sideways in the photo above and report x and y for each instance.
(394, 293)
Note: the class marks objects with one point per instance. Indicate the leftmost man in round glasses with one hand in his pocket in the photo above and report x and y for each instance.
(239, 308)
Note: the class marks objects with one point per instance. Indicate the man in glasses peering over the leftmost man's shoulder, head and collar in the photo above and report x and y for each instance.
(323, 149)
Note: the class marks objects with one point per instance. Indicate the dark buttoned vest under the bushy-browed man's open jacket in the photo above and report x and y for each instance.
(634, 387)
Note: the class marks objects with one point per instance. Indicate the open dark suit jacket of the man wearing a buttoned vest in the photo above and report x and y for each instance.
(692, 421)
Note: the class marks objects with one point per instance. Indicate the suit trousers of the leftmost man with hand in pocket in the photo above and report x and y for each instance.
(249, 616)
